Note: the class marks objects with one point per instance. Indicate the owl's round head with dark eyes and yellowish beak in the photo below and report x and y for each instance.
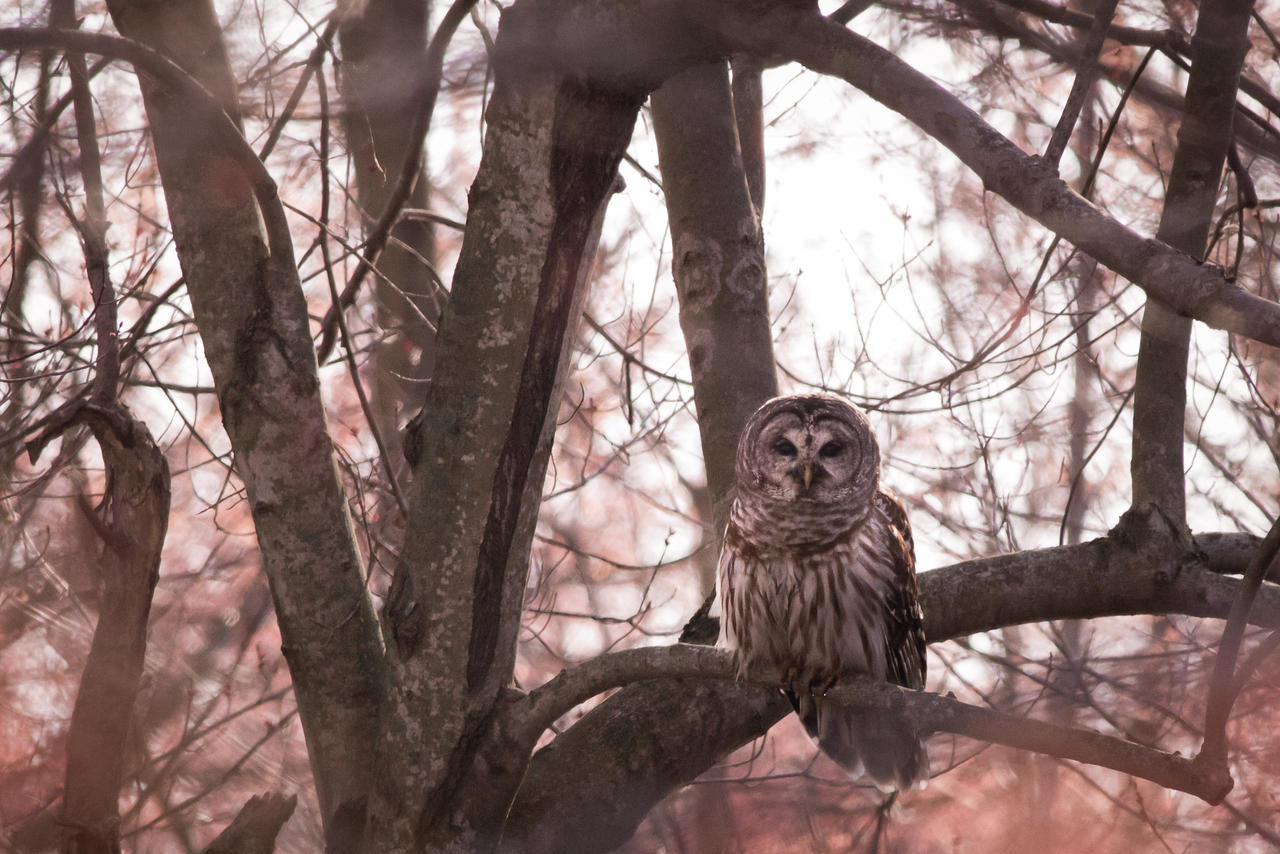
(810, 451)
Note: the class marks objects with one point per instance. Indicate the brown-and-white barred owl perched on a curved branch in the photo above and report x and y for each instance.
(817, 579)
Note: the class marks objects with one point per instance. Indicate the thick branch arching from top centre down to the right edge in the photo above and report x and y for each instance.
(646, 44)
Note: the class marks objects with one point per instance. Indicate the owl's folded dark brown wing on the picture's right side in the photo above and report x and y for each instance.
(904, 622)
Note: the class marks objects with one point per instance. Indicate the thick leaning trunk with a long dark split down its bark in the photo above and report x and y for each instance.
(551, 158)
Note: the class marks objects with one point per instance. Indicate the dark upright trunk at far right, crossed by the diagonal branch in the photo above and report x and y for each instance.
(1160, 389)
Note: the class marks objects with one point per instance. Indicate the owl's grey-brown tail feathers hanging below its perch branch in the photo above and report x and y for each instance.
(885, 747)
